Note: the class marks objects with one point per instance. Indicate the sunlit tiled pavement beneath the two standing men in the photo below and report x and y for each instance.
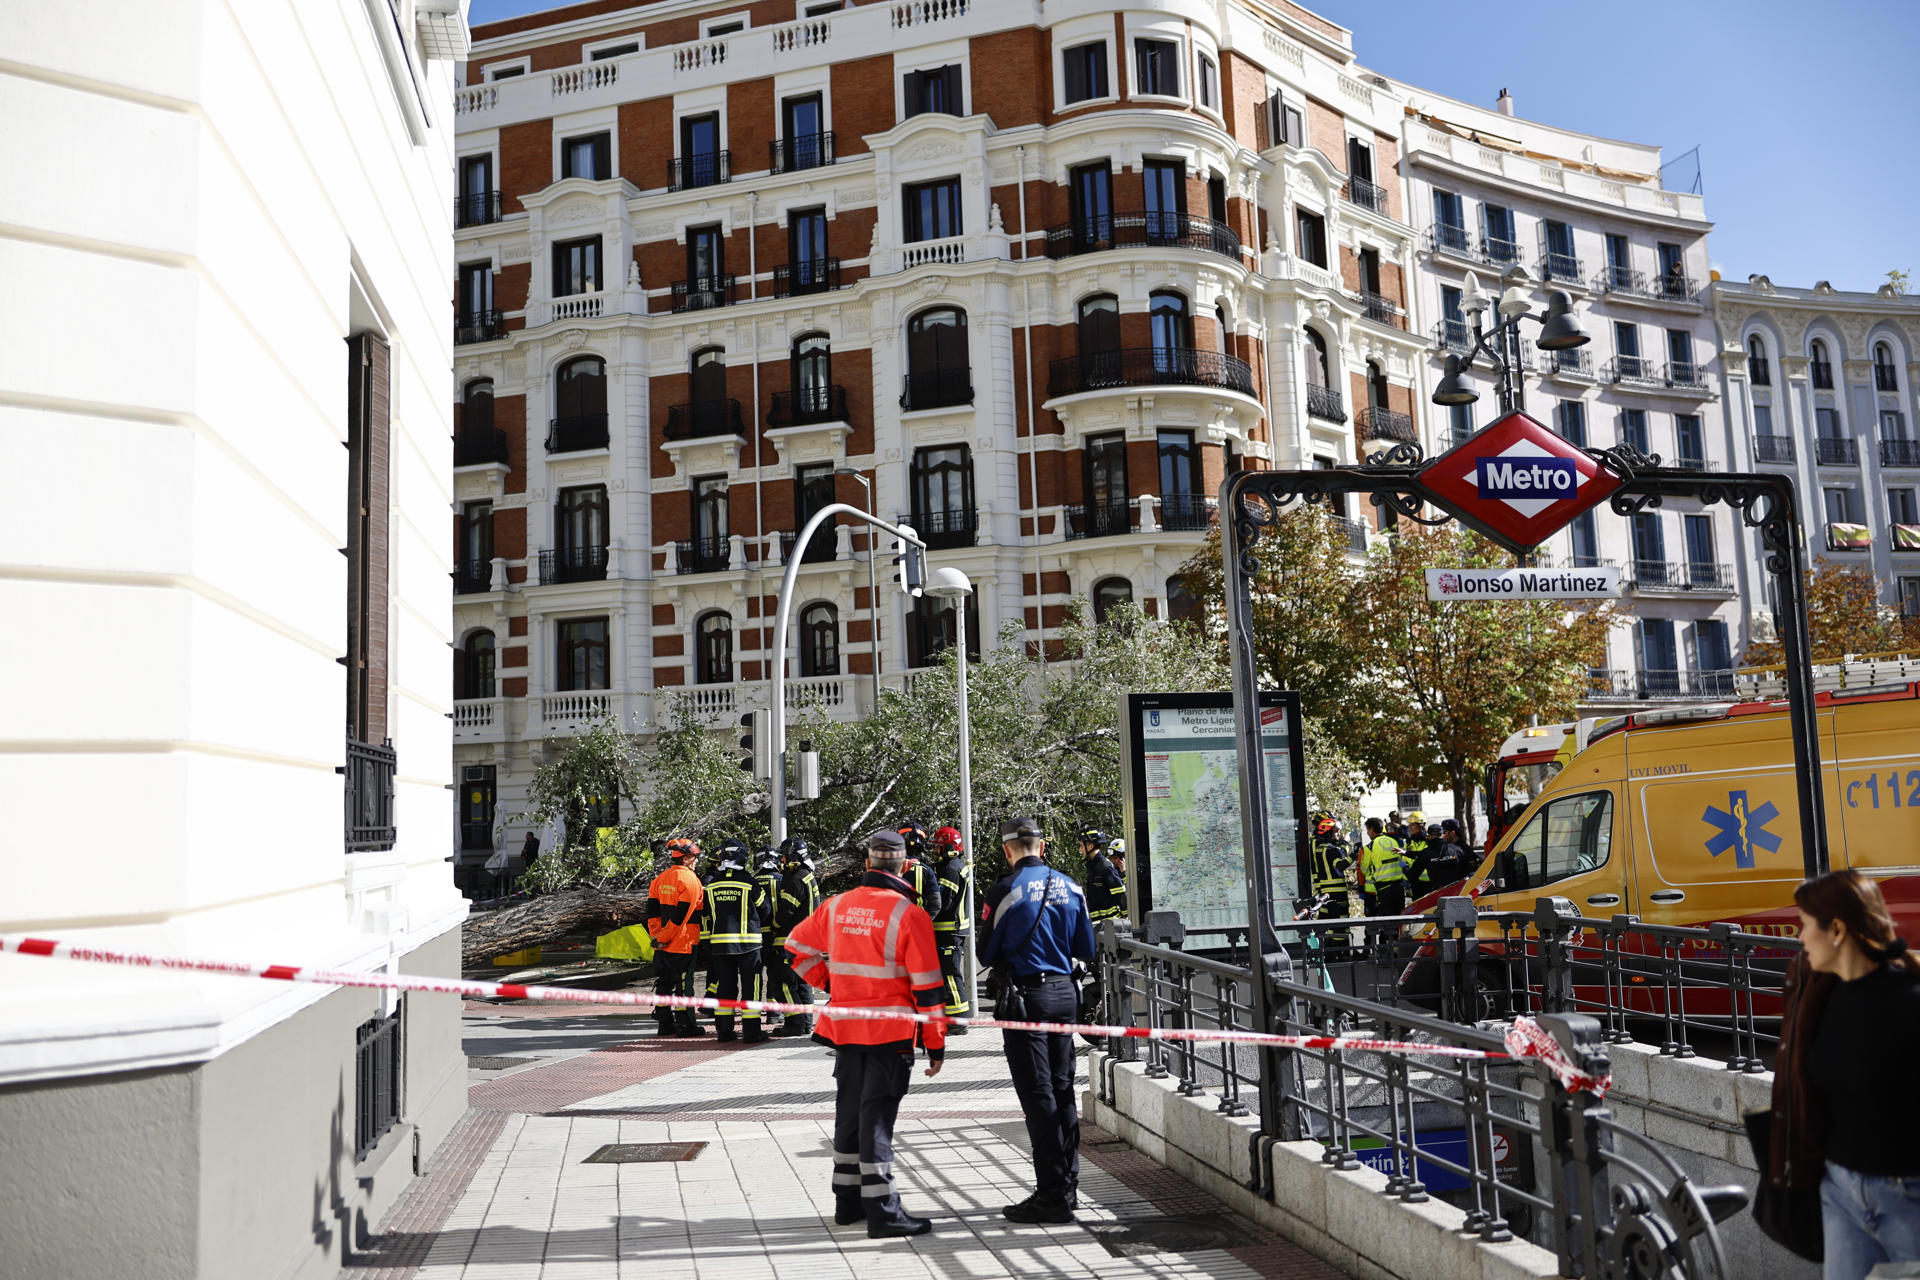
(512, 1200)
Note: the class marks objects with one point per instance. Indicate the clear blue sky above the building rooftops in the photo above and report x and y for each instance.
(1808, 116)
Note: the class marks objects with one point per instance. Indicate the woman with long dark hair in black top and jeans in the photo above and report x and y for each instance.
(1846, 1101)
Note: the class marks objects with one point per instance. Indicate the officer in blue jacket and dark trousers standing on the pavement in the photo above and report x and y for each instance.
(1034, 928)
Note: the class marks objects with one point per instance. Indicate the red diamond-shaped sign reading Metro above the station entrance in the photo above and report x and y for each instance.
(1518, 483)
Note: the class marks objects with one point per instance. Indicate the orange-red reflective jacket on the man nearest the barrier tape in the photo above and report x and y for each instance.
(873, 947)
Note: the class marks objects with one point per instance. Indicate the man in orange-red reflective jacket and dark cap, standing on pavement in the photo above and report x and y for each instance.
(876, 951)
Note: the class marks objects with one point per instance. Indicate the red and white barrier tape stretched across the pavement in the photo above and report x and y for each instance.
(1525, 1039)
